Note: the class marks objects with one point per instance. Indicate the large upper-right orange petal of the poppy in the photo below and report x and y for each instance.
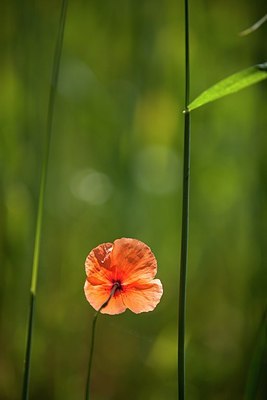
(133, 261)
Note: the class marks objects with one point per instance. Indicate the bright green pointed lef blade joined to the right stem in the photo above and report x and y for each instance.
(232, 84)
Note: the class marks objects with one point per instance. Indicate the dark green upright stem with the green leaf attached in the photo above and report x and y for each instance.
(185, 218)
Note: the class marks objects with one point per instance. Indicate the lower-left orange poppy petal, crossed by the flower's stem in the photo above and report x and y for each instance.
(98, 294)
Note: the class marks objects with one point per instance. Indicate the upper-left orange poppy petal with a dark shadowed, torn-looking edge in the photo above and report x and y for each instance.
(98, 264)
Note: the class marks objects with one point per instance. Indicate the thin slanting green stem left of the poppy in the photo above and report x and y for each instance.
(36, 255)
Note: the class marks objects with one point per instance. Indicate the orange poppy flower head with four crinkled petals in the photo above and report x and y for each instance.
(122, 272)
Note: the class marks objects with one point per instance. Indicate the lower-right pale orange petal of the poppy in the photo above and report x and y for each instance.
(142, 297)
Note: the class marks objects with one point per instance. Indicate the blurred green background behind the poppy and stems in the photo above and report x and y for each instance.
(115, 171)
